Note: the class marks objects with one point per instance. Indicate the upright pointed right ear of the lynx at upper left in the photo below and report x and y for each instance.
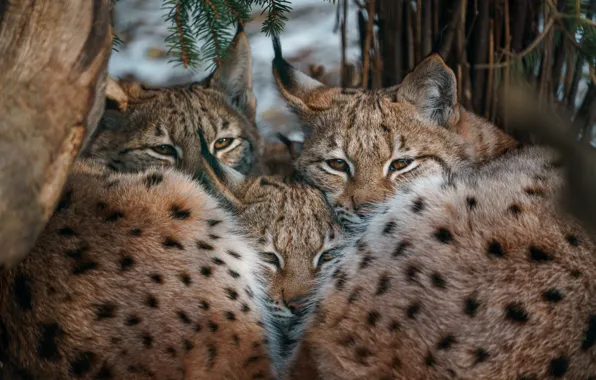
(234, 75)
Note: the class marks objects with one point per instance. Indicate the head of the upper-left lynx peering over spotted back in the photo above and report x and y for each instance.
(158, 126)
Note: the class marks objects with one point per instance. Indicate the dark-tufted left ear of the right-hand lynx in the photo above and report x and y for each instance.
(303, 93)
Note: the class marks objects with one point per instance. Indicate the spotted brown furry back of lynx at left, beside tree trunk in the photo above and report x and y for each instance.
(135, 276)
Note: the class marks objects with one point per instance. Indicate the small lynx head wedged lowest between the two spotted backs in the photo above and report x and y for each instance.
(292, 226)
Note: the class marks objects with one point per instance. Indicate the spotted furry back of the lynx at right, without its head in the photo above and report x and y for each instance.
(474, 275)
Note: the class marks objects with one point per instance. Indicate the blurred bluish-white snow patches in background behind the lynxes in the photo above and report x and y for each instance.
(308, 39)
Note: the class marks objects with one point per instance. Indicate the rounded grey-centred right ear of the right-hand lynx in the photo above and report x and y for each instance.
(432, 88)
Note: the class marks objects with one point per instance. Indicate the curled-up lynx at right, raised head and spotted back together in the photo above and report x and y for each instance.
(468, 267)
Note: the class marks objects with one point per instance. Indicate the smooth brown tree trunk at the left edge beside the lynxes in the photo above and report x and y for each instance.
(52, 74)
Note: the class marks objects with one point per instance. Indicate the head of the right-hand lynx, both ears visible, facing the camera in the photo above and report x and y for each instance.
(362, 146)
